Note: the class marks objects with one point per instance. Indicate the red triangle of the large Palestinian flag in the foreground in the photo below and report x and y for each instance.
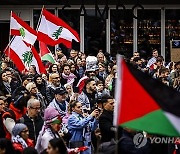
(133, 98)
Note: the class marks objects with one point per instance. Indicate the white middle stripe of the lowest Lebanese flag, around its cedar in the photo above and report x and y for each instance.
(19, 47)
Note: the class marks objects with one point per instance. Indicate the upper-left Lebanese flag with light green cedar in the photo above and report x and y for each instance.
(20, 28)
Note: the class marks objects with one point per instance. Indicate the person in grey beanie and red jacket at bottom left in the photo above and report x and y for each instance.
(20, 137)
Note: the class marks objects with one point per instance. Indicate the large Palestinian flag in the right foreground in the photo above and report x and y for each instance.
(144, 103)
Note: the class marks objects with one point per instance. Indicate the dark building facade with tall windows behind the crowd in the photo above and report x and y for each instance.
(124, 30)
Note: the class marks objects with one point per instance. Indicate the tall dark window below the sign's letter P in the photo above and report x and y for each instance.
(121, 32)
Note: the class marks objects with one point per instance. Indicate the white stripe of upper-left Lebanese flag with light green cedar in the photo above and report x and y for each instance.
(29, 37)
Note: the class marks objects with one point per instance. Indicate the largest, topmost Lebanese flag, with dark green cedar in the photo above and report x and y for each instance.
(53, 30)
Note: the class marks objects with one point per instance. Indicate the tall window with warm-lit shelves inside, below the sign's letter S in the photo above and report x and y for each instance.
(149, 32)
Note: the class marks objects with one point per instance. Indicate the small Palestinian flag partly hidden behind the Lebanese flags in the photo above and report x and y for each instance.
(45, 53)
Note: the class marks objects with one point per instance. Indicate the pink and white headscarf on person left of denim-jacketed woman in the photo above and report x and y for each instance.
(50, 114)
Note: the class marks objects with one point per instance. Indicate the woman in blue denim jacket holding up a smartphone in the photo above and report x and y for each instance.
(81, 127)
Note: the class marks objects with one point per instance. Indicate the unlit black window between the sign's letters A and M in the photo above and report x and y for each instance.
(94, 33)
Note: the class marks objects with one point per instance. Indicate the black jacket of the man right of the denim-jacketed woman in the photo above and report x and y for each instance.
(106, 125)
